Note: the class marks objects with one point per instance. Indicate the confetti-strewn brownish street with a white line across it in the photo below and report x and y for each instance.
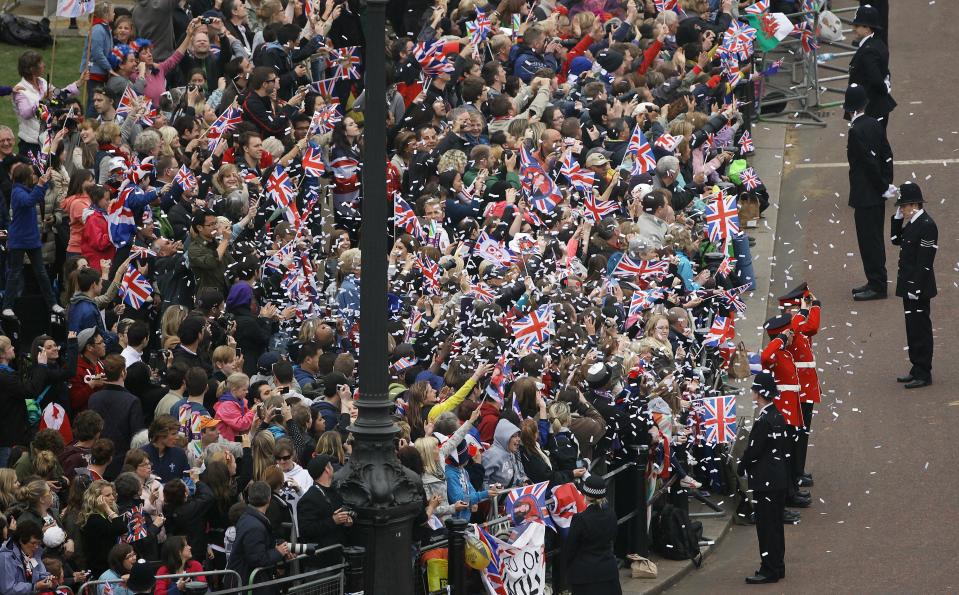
(884, 459)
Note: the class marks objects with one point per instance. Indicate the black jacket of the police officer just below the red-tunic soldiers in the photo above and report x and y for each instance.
(763, 461)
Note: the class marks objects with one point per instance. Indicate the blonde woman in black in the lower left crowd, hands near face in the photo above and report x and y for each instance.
(100, 525)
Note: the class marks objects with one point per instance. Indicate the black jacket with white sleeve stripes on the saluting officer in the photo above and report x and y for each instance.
(918, 242)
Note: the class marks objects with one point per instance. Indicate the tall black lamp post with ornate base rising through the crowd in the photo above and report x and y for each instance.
(384, 494)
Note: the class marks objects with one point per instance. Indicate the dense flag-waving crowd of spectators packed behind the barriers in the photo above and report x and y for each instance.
(565, 270)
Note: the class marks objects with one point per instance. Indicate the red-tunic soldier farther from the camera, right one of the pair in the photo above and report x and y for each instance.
(805, 311)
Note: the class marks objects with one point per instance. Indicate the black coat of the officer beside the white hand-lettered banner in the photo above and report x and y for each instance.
(588, 549)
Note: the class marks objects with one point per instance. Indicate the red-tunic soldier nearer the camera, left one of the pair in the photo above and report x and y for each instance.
(778, 360)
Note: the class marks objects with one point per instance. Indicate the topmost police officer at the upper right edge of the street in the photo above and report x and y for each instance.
(869, 67)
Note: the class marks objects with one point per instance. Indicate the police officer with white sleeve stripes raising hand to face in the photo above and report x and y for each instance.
(917, 236)
